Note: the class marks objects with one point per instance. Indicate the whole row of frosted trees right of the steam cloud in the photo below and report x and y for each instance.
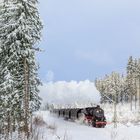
(121, 88)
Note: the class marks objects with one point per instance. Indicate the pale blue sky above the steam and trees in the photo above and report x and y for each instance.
(85, 39)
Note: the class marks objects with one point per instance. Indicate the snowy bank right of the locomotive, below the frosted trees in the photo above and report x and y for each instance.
(124, 113)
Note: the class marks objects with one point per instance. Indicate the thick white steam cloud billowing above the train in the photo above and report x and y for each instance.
(69, 93)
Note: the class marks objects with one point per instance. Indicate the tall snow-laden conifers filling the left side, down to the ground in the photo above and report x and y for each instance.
(20, 29)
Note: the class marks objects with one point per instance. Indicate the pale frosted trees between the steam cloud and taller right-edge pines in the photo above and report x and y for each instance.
(112, 88)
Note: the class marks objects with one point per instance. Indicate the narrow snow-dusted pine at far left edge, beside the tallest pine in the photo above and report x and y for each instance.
(5, 98)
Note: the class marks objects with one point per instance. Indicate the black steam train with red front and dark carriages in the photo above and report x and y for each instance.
(93, 116)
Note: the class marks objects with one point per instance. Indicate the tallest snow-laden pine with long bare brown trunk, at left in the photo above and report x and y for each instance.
(20, 30)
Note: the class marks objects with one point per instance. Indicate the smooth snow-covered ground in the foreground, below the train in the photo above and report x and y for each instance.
(59, 129)
